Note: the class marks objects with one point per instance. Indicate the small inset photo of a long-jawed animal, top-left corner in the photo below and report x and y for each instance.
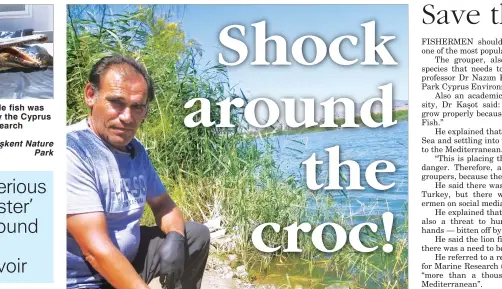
(26, 51)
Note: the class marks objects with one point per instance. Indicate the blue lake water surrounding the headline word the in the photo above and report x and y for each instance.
(363, 145)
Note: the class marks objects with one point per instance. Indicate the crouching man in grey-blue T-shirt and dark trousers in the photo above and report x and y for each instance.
(110, 179)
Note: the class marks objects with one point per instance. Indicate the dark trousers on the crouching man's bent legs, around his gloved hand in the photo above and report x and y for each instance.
(147, 261)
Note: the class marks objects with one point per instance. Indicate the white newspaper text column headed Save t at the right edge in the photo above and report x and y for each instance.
(456, 214)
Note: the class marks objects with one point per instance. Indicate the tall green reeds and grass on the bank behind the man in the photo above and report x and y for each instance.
(213, 171)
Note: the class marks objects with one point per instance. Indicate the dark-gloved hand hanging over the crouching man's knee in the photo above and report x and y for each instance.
(172, 254)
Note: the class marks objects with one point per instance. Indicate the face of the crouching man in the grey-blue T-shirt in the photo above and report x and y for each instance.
(120, 105)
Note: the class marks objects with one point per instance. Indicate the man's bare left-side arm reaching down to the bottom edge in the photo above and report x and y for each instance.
(90, 232)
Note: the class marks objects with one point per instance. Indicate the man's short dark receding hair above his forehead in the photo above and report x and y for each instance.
(104, 63)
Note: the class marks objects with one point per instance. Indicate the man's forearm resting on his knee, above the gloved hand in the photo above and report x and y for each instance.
(167, 215)
